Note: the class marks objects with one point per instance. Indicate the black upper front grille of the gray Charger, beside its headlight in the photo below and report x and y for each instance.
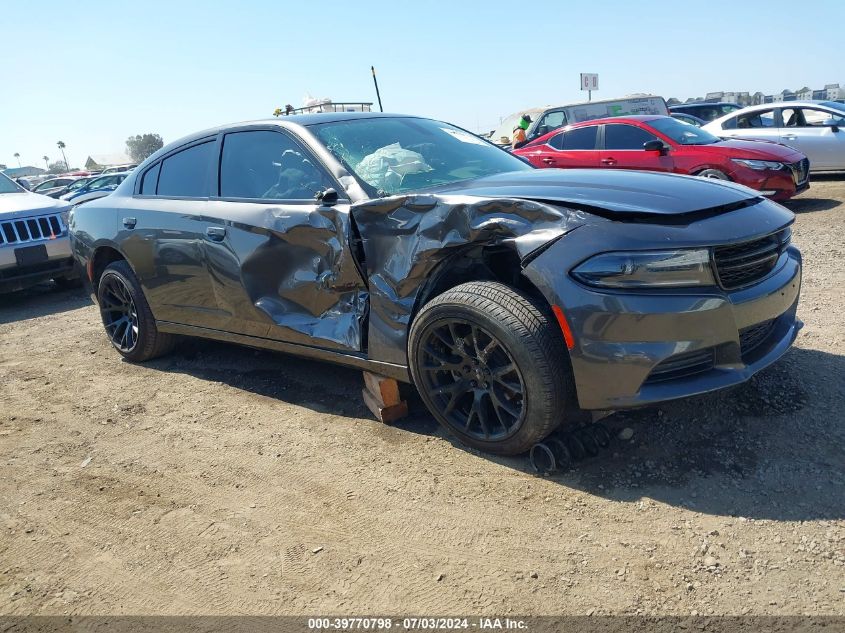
(739, 265)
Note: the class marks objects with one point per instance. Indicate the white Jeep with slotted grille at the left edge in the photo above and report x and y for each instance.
(34, 244)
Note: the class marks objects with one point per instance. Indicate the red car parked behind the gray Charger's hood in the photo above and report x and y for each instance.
(661, 143)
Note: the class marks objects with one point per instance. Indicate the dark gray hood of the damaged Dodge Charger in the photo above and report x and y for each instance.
(621, 195)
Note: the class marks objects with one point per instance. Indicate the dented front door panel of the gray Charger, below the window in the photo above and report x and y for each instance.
(285, 271)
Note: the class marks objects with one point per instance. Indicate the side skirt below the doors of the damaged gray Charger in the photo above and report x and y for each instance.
(390, 370)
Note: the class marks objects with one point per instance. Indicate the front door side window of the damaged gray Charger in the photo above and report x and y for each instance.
(268, 165)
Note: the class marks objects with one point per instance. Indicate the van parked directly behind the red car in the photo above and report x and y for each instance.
(548, 118)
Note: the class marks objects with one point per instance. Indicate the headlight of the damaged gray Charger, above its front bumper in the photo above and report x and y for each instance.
(647, 269)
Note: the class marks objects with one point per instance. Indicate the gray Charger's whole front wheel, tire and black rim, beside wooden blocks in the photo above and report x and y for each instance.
(491, 366)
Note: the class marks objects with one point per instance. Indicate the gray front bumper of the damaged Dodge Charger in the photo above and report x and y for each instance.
(623, 342)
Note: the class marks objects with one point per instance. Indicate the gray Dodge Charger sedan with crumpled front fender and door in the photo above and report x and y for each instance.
(514, 299)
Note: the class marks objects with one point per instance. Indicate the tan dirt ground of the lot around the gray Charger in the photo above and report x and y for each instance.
(221, 480)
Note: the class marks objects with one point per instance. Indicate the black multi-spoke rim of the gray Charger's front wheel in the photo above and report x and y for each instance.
(471, 380)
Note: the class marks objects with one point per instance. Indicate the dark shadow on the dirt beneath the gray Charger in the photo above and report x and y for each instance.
(768, 449)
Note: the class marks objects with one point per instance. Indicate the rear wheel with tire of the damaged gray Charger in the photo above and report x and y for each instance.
(126, 315)
